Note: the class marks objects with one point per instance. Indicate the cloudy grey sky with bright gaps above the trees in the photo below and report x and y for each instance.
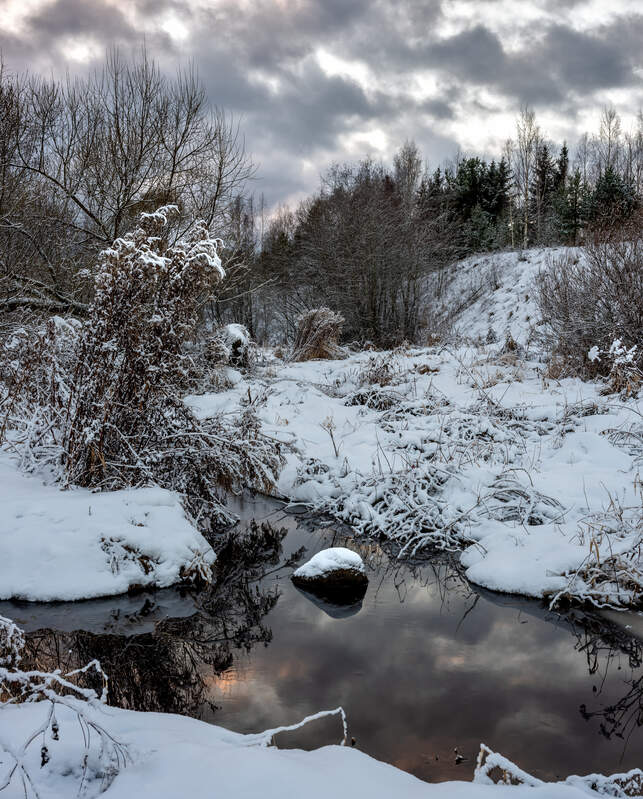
(317, 81)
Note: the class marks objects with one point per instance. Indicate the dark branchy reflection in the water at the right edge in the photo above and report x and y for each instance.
(603, 643)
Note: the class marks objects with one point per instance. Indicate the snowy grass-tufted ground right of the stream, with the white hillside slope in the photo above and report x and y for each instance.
(469, 446)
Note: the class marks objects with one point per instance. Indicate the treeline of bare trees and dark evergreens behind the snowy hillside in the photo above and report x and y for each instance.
(372, 242)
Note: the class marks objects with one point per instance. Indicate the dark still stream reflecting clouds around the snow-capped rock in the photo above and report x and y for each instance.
(424, 665)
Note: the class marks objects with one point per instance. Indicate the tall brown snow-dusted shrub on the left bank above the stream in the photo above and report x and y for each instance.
(110, 414)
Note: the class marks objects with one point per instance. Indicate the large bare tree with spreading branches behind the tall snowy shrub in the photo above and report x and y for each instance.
(91, 154)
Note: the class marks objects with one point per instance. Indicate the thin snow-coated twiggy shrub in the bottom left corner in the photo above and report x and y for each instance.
(61, 700)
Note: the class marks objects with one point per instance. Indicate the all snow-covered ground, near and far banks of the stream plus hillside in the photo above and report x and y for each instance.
(472, 447)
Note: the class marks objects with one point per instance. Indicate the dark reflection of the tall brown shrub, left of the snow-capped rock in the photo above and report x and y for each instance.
(167, 669)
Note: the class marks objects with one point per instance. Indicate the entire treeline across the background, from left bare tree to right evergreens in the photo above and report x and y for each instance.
(81, 158)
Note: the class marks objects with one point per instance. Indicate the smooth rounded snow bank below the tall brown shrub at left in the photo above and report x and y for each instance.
(75, 544)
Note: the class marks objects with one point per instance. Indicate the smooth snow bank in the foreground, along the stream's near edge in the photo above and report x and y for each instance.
(177, 756)
